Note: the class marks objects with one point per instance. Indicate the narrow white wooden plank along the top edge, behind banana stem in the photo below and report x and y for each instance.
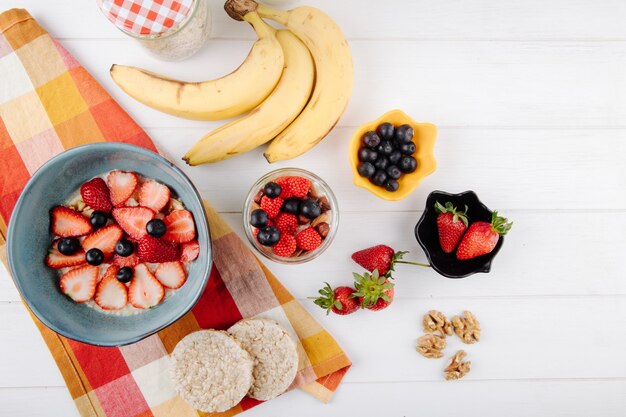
(391, 19)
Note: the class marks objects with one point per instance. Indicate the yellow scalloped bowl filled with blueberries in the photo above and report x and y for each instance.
(391, 155)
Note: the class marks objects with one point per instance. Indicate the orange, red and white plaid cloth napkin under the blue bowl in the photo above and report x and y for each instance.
(48, 103)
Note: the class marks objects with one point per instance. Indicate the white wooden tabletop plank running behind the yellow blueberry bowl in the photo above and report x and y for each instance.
(510, 169)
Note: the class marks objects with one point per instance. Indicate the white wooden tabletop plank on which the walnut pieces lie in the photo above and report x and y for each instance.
(520, 340)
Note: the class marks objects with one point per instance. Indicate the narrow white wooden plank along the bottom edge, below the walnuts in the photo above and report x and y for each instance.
(556, 398)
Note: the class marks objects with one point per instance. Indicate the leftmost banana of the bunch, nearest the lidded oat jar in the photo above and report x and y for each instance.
(222, 98)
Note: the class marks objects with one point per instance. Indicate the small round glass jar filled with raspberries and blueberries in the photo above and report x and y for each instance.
(290, 215)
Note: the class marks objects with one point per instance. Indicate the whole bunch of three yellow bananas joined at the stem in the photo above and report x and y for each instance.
(294, 106)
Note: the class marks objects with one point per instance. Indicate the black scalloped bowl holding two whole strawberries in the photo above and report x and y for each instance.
(459, 234)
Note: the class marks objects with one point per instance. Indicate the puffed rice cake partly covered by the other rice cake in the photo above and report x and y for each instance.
(274, 353)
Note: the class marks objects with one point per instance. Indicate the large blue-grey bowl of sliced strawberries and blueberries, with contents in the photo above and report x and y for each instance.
(109, 243)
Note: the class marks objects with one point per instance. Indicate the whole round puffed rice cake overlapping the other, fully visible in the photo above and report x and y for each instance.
(211, 370)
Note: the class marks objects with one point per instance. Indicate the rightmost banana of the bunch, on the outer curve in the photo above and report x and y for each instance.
(333, 84)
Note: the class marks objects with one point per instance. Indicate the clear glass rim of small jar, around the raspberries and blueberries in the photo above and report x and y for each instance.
(319, 189)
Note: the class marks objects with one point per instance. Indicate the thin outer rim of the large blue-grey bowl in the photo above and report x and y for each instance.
(132, 149)
